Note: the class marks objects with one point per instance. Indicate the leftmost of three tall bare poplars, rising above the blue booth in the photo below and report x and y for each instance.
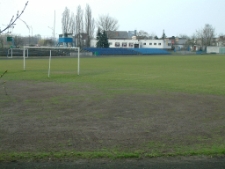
(68, 22)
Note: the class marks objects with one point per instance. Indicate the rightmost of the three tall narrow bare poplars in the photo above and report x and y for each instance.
(89, 24)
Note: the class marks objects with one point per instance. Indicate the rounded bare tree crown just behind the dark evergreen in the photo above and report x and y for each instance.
(107, 23)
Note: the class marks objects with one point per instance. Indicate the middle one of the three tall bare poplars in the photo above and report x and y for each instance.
(79, 26)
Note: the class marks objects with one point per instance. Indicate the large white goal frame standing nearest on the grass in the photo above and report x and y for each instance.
(26, 51)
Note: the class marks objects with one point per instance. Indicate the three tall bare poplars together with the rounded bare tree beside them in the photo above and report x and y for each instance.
(83, 24)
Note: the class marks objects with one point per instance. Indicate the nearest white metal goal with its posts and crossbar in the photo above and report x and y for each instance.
(50, 49)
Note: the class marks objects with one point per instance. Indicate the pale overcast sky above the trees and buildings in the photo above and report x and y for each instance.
(153, 16)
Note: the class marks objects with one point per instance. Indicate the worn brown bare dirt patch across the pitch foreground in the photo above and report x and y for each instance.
(45, 116)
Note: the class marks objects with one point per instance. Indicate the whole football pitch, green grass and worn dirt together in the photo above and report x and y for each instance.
(119, 107)
